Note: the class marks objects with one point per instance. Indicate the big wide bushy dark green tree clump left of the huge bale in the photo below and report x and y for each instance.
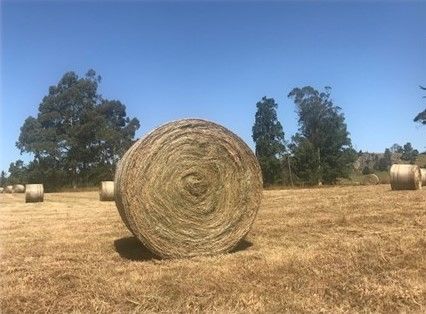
(77, 136)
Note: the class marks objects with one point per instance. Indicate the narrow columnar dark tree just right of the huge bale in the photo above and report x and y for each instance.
(268, 136)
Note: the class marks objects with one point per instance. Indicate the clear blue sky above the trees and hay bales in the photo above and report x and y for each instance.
(215, 60)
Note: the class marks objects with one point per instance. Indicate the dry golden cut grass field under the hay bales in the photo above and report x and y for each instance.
(339, 249)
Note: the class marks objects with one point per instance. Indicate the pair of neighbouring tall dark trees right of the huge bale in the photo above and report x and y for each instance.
(320, 152)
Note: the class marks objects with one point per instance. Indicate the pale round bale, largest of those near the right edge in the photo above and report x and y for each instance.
(405, 177)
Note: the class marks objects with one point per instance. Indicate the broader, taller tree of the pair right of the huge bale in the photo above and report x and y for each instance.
(322, 148)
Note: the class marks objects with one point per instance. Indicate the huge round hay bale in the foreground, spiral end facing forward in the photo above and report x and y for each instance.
(190, 187)
